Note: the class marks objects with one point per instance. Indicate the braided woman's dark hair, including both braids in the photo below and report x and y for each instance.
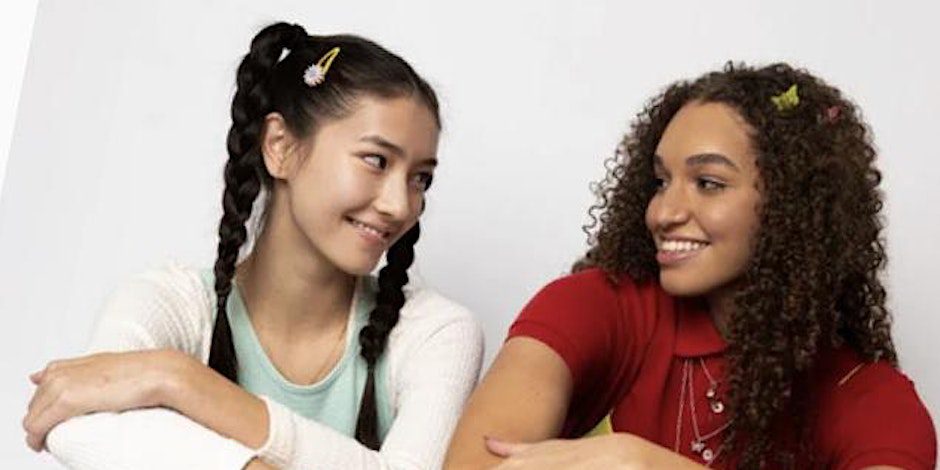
(267, 83)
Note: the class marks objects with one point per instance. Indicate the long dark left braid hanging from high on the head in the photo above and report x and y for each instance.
(244, 175)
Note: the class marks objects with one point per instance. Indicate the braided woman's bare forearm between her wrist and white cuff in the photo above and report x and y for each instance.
(213, 401)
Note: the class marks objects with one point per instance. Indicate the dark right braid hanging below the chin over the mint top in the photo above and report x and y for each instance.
(382, 319)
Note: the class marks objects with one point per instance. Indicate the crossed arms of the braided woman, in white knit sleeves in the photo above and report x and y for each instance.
(153, 404)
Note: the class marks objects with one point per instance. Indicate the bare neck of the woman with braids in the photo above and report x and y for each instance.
(288, 285)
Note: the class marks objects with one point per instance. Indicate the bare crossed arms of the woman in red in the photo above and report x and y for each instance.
(523, 399)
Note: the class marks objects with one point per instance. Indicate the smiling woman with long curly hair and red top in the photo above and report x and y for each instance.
(729, 312)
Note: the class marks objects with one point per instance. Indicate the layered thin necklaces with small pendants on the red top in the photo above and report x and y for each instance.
(700, 444)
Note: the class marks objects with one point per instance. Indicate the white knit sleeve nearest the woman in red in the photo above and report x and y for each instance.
(434, 370)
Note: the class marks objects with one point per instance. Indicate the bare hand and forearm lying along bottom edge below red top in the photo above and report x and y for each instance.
(618, 450)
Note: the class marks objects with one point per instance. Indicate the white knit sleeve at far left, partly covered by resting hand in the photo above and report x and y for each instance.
(163, 308)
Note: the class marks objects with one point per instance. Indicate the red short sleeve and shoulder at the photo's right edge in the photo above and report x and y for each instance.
(860, 401)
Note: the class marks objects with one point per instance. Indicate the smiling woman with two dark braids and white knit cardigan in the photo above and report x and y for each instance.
(311, 363)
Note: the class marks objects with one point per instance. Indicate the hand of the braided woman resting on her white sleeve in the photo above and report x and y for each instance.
(99, 382)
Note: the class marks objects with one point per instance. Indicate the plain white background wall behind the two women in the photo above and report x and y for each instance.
(116, 152)
